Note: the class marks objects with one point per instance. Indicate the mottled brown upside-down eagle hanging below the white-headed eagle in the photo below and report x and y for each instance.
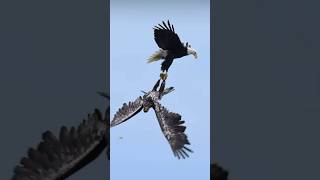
(170, 123)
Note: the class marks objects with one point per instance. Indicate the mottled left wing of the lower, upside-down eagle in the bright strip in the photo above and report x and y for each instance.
(127, 111)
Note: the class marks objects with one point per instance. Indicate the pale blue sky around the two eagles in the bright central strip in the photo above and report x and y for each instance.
(143, 152)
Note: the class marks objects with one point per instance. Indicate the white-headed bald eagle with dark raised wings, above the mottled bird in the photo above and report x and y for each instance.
(170, 47)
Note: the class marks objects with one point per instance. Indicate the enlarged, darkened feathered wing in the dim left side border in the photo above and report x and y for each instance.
(57, 158)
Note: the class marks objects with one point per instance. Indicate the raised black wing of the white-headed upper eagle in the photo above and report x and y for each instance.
(166, 38)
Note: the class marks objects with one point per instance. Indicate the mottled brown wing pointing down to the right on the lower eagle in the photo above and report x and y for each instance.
(173, 130)
